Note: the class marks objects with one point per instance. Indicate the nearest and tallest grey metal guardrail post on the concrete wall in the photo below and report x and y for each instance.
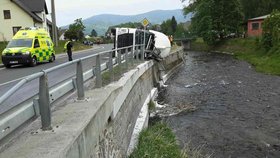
(44, 103)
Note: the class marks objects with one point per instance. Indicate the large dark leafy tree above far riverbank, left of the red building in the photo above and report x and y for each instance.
(215, 19)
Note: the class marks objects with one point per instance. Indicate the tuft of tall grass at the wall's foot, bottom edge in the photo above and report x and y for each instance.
(158, 141)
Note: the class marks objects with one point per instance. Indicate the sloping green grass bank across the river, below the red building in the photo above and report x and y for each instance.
(248, 50)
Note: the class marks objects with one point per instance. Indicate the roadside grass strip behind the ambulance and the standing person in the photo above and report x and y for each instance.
(59, 49)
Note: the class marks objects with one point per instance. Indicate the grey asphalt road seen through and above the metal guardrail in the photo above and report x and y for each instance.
(9, 77)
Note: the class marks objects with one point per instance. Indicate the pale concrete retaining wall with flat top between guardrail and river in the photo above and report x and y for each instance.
(100, 126)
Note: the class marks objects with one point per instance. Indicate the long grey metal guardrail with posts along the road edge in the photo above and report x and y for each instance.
(15, 117)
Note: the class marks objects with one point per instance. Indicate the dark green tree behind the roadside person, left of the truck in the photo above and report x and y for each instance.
(75, 30)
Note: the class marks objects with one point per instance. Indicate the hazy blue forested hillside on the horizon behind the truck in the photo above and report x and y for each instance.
(101, 22)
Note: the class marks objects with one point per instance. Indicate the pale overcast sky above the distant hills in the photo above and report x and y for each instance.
(69, 10)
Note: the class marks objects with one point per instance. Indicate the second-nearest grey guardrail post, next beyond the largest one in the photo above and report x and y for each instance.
(80, 80)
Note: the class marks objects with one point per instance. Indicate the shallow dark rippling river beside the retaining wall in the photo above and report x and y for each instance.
(227, 109)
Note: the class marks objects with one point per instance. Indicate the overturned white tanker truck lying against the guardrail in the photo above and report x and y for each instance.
(157, 44)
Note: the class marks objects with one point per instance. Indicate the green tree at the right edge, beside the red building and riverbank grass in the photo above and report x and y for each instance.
(271, 30)
